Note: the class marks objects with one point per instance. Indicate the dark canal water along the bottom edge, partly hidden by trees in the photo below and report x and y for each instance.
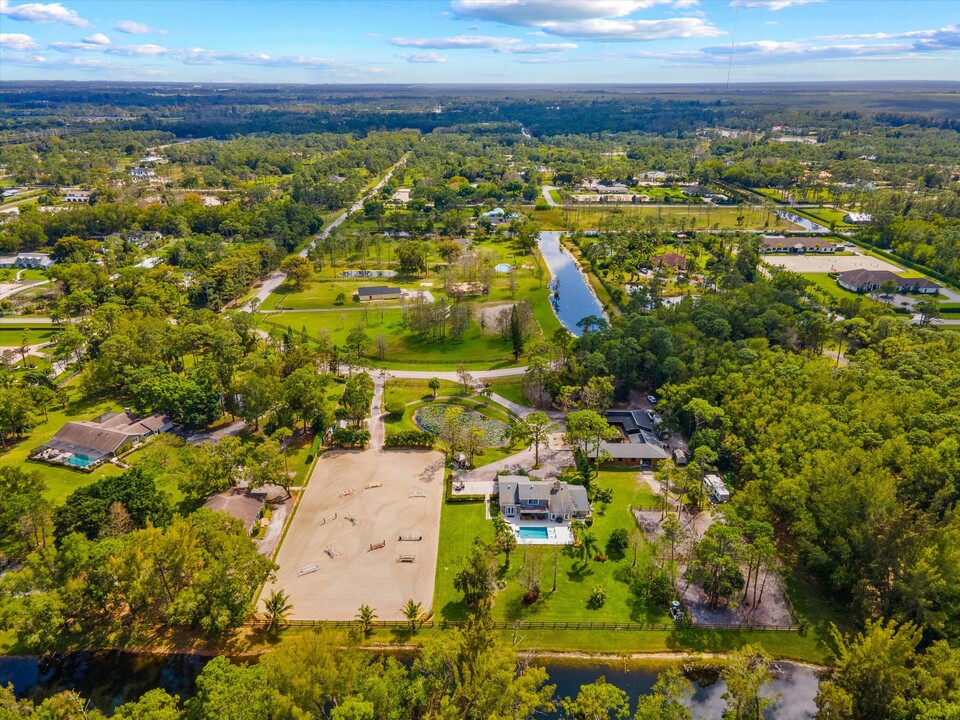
(112, 678)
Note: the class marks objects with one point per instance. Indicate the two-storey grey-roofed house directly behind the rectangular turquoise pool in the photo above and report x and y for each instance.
(522, 498)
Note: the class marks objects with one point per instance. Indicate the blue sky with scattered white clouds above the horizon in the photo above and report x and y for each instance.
(480, 41)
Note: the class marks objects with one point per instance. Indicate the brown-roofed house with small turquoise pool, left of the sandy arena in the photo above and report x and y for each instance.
(84, 444)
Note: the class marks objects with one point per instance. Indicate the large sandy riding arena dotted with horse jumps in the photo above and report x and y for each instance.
(344, 546)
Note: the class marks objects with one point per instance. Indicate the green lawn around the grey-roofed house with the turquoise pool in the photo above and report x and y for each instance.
(575, 581)
